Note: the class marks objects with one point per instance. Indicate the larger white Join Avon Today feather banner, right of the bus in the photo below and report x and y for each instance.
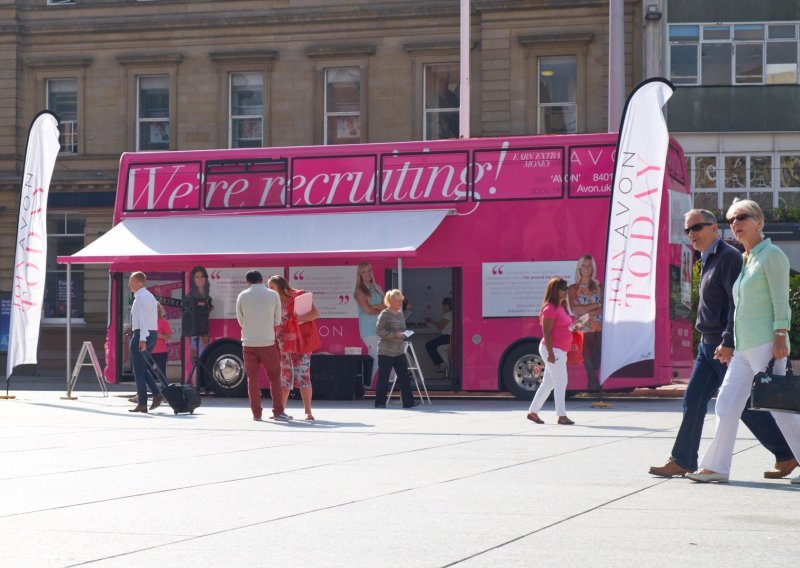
(629, 309)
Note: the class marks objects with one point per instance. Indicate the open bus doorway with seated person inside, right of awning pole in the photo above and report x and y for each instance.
(431, 299)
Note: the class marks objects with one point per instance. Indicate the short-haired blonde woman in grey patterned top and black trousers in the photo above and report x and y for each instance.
(391, 351)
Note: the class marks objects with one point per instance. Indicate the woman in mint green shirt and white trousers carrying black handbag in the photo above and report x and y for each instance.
(760, 333)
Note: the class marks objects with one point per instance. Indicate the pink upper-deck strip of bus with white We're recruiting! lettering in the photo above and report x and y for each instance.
(403, 178)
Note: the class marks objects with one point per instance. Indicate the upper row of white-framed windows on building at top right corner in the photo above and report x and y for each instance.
(734, 54)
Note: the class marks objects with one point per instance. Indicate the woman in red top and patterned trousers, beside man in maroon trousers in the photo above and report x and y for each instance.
(295, 364)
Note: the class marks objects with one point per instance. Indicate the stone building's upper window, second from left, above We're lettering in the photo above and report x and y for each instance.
(152, 113)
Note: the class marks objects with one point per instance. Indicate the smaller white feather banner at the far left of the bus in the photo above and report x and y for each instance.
(30, 256)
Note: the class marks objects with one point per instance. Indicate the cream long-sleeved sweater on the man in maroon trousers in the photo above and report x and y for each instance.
(258, 310)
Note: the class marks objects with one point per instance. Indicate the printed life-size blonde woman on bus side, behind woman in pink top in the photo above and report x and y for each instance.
(586, 297)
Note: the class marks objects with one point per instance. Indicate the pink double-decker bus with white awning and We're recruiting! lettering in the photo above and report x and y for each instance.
(482, 222)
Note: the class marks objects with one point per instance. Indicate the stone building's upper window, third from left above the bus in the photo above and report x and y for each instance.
(246, 123)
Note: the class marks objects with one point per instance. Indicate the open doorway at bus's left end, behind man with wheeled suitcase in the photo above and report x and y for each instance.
(167, 287)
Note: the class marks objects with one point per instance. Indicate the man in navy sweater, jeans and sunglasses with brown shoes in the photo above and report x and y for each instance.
(722, 264)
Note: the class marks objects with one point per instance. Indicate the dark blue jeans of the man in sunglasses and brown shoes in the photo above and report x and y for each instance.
(706, 379)
